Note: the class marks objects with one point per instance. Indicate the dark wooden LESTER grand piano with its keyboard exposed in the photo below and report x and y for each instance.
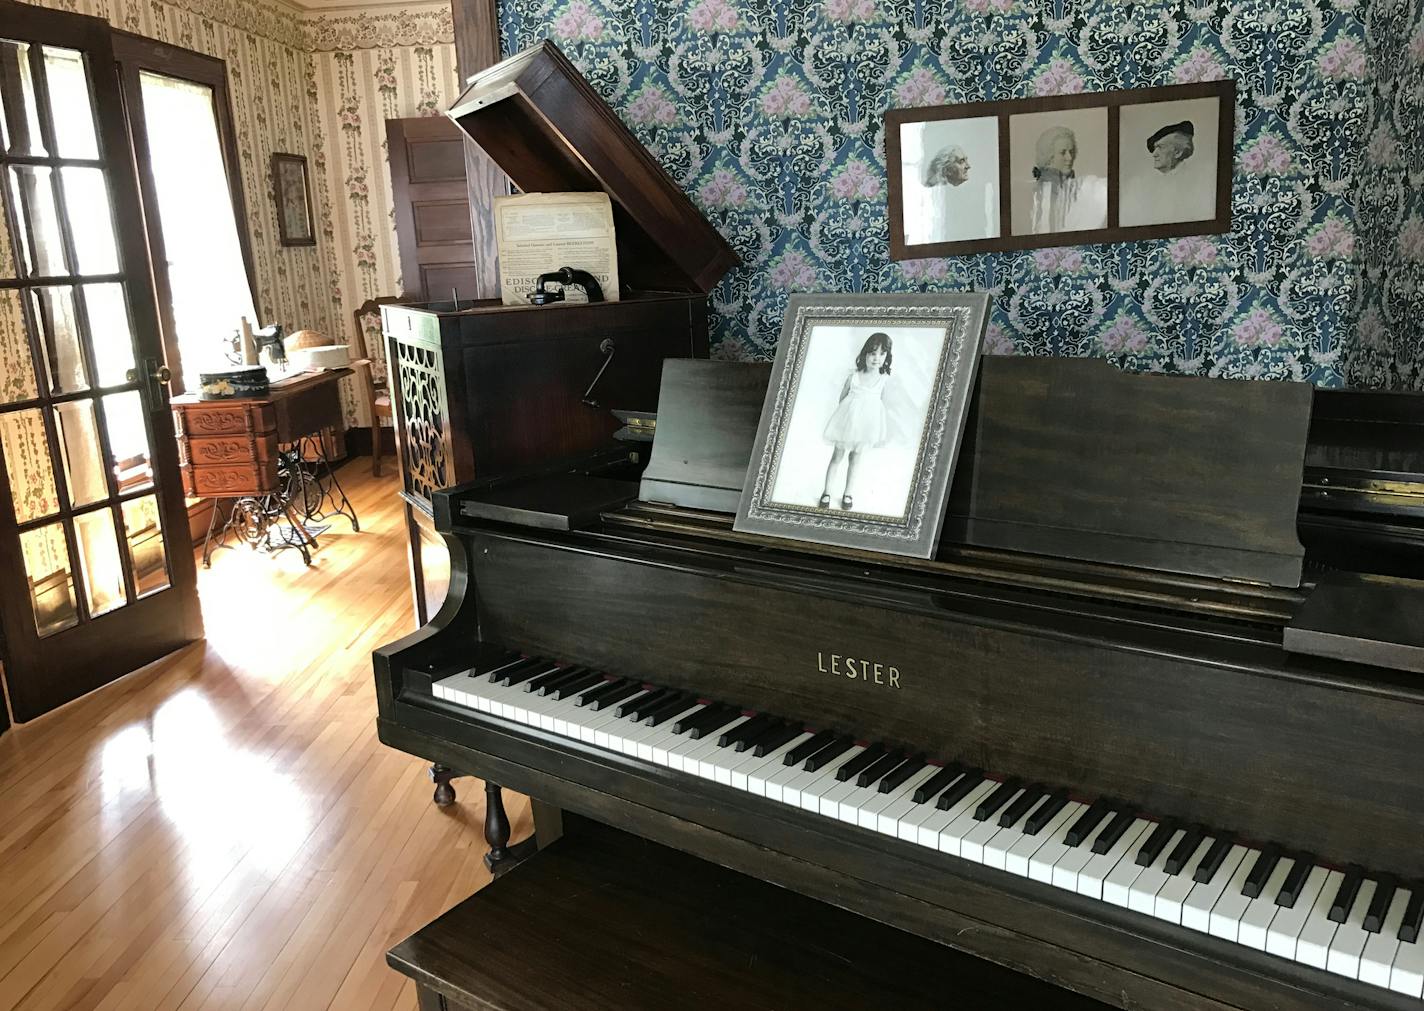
(1148, 727)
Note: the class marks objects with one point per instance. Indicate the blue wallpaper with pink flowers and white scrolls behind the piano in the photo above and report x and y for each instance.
(773, 117)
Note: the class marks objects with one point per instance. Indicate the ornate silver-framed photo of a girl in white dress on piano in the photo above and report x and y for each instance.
(864, 421)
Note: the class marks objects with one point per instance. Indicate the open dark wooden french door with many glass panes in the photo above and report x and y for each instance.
(96, 570)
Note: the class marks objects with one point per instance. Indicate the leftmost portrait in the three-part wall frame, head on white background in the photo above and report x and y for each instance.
(949, 179)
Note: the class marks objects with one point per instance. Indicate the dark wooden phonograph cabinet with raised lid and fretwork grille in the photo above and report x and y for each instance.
(482, 389)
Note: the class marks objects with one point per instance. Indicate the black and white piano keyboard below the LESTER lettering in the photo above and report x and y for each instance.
(1346, 922)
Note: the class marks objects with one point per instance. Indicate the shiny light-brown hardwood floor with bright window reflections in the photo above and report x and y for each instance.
(223, 829)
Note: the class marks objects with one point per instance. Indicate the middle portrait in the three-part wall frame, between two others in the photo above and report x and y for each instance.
(1059, 172)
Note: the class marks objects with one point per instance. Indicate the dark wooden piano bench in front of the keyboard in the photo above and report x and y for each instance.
(609, 921)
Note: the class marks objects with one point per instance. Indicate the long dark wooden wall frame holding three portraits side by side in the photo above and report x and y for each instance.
(983, 177)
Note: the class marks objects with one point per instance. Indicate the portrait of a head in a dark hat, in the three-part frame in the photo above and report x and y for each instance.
(1168, 162)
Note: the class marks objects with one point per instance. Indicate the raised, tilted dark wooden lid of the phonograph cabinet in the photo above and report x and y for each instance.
(543, 125)
